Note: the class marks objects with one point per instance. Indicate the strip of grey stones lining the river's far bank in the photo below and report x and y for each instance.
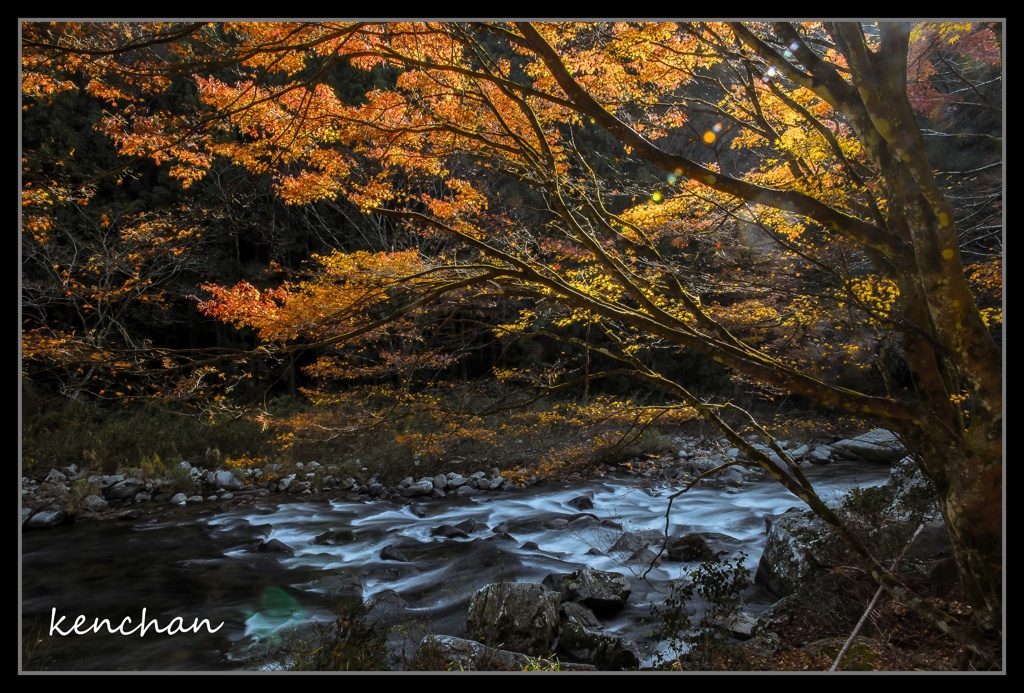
(77, 494)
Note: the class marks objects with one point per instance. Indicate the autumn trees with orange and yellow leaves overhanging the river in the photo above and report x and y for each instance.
(816, 207)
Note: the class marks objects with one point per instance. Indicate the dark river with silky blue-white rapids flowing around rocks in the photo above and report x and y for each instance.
(200, 562)
